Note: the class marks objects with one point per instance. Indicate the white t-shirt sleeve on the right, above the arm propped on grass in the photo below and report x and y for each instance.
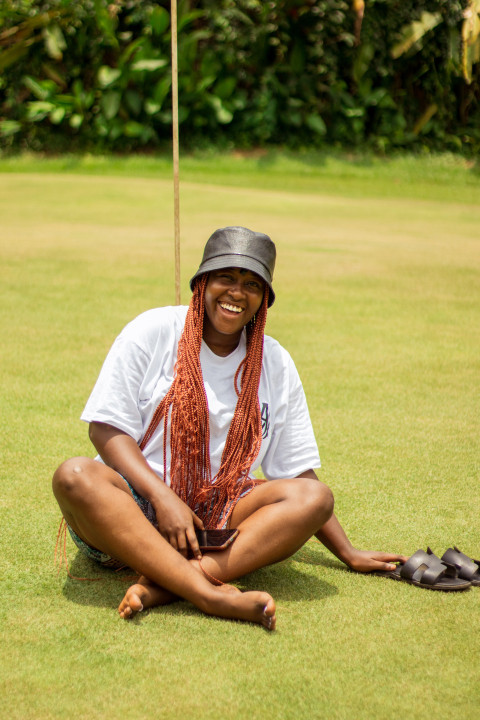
(293, 448)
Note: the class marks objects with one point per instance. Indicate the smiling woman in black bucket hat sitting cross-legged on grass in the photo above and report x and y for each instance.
(188, 404)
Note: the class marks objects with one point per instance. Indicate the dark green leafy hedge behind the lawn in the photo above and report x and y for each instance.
(95, 75)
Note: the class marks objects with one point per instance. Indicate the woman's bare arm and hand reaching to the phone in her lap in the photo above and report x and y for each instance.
(175, 519)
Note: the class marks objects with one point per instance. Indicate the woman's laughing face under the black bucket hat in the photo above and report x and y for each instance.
(232, 297)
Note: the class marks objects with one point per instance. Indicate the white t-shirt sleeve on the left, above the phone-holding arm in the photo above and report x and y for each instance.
(115, 398)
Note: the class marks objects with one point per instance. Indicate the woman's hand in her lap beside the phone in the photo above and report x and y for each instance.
(176, 523)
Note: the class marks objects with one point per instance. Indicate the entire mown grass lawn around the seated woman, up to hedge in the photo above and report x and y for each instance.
(378, 301)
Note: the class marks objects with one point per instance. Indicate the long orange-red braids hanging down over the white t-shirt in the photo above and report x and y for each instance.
(186, 403)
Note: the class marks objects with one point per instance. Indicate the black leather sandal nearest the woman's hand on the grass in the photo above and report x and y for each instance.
(425, 569)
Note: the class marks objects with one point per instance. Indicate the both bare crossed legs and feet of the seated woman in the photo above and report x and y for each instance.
(274, 520)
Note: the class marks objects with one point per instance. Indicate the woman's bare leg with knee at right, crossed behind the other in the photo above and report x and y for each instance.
(274, 520)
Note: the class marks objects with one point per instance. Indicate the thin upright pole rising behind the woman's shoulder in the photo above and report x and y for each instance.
(176, 185)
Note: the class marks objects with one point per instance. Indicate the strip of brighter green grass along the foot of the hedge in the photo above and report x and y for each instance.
(436, 177)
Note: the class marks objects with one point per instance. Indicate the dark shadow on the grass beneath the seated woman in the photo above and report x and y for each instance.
(284, 581)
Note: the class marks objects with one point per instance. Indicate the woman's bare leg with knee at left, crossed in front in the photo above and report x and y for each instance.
(99, 507)
